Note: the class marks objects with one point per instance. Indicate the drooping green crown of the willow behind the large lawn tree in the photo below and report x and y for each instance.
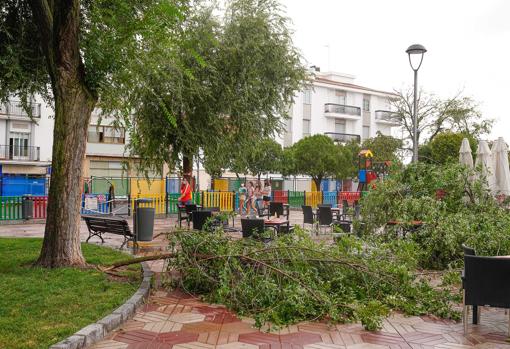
(236, 74)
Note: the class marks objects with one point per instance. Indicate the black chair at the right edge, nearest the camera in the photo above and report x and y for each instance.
(486, 282)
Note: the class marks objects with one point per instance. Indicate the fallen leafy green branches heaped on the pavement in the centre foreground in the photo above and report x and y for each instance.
(294, 278)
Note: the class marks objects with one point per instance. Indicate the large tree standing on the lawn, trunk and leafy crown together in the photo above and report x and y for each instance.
(74, 53)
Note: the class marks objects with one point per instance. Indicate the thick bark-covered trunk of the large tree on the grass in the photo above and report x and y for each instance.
(59, 24)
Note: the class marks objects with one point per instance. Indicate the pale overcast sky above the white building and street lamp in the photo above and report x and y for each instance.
(468, 45)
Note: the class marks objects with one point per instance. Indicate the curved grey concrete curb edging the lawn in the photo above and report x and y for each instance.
(95, 332)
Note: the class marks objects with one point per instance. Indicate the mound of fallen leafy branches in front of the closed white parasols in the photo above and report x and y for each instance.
(453, 203)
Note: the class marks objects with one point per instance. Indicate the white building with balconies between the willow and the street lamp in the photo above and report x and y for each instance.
(335, 106)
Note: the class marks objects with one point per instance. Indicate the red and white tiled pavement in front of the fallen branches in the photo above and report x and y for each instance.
(179, 321)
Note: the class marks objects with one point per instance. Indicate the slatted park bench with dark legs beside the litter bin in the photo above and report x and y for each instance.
(99, 225)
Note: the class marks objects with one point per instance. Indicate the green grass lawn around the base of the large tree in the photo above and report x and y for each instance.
(40, 307)
